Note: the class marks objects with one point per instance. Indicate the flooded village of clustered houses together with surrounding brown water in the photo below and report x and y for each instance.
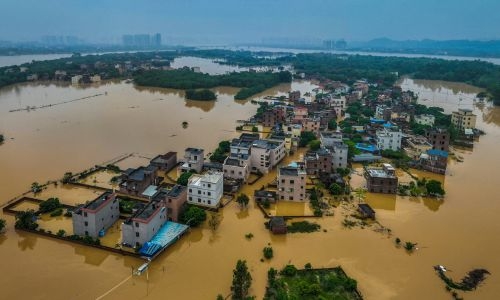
(392, 191)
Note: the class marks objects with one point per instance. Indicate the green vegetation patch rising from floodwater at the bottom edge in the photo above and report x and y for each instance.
(310, 284)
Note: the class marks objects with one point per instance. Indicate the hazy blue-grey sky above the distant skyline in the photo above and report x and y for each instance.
(226, 21)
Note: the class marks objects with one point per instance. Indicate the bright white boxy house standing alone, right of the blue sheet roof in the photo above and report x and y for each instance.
(205, 189)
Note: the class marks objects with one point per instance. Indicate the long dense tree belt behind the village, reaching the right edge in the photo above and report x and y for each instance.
(380, 69)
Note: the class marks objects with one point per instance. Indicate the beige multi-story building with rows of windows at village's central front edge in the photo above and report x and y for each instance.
(292, 183)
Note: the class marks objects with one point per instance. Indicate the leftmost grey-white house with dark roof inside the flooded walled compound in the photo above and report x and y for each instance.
(95, 217)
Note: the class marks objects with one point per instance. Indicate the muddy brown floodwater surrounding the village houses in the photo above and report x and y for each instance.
(460, 233)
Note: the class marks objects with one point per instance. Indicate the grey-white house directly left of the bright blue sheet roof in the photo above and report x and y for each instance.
(144, 224)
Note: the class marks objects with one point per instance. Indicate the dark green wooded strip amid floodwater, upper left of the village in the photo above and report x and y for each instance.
(251, 83)
